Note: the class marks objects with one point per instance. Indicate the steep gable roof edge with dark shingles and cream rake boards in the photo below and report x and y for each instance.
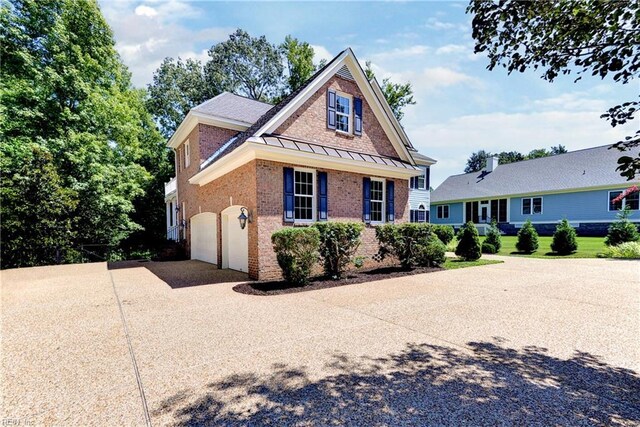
(271, 119)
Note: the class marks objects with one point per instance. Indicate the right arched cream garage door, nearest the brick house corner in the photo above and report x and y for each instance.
(235, 241)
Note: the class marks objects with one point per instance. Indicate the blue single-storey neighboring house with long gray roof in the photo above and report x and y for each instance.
(579, 186)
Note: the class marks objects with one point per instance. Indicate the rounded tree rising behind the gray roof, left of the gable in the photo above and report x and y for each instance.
(250, 66)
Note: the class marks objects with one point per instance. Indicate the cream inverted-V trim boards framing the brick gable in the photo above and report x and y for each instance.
(346, 58)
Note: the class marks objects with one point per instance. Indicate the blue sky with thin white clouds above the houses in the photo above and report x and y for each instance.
(461, 107)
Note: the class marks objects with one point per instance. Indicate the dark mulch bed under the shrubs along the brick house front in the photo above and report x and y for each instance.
(281, 287)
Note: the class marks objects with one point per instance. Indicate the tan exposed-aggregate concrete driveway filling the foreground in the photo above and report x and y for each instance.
(527, 342)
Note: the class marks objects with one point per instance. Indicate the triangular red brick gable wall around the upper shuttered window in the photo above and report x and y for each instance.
(309, 123)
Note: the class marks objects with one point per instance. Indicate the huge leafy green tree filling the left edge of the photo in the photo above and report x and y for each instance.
(64, 89)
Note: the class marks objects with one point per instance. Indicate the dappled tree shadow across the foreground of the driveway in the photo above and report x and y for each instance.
(424, 385)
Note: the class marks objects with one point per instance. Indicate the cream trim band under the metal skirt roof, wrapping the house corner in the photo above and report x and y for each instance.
(256, 150)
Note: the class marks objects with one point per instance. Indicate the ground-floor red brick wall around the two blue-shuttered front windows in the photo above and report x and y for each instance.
(345, 204)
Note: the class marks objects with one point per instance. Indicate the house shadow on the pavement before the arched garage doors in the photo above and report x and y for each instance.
(182, 274)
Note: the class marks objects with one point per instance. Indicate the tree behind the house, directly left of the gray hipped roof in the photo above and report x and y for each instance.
(177, 87)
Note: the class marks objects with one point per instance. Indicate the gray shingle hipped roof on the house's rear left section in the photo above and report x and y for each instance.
(234, 107)
